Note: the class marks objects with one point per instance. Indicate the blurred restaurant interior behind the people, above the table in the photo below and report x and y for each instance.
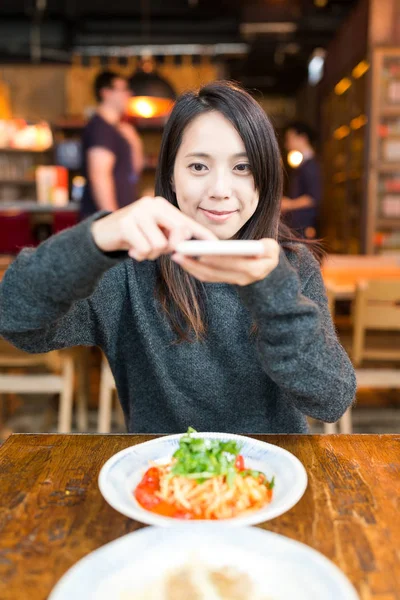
(333, 64)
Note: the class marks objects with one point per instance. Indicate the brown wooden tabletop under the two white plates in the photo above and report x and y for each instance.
(52, 513)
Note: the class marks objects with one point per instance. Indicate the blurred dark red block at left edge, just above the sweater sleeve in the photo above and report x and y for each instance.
(15, 232)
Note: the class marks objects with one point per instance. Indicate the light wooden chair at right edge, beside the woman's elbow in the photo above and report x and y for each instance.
(377, 308)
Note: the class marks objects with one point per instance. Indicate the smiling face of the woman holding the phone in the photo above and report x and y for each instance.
(212, 178)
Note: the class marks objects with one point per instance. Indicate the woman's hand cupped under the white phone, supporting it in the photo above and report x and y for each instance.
(232, 269)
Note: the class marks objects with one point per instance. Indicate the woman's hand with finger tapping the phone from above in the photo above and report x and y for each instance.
(147, 228)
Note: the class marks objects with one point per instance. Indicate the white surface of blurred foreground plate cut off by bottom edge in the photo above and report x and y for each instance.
(280, 568)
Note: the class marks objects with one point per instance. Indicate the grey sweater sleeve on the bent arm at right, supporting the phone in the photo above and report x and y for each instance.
(297, 342)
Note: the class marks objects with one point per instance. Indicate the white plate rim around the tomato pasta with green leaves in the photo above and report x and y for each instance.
(122, 472)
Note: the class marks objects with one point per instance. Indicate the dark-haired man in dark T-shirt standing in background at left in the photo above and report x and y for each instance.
(112, 149)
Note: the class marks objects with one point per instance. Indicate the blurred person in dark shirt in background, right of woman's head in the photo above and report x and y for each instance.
(300, 208)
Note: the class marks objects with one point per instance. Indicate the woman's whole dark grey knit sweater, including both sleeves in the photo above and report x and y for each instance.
(68, 293)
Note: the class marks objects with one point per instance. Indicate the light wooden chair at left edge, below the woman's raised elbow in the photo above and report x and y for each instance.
(59, 380)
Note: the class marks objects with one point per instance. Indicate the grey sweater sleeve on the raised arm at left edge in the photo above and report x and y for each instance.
(45, 294)
